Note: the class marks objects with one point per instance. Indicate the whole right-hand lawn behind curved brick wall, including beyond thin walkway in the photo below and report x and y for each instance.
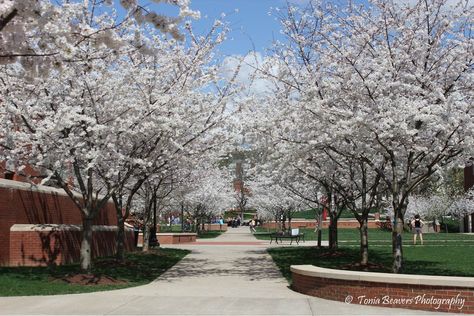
(442, 253)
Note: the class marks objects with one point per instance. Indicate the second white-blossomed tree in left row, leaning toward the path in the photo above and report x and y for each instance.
(168, 126)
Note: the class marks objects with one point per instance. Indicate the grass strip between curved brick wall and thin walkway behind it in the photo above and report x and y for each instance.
(434, 260)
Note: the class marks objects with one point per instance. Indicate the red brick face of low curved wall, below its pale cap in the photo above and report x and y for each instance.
(386, 294)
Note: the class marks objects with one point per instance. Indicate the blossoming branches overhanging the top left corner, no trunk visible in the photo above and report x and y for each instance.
(38, 34)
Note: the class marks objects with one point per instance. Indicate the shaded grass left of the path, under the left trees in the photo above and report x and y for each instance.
(138, 269)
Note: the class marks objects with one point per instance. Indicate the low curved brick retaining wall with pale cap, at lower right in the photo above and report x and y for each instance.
(432, 293)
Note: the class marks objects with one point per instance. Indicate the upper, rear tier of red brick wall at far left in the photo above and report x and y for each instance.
(19, 206)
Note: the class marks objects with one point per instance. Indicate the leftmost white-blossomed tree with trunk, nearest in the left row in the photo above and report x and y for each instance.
(61, 124)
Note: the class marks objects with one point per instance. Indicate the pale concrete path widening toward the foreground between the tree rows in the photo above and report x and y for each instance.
(229, 275)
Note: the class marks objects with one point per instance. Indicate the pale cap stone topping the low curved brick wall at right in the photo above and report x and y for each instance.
(413, 279)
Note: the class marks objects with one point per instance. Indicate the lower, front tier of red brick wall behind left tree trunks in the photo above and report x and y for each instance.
(39, 248)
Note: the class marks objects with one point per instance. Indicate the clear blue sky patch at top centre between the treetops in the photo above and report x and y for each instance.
(250, 26)
